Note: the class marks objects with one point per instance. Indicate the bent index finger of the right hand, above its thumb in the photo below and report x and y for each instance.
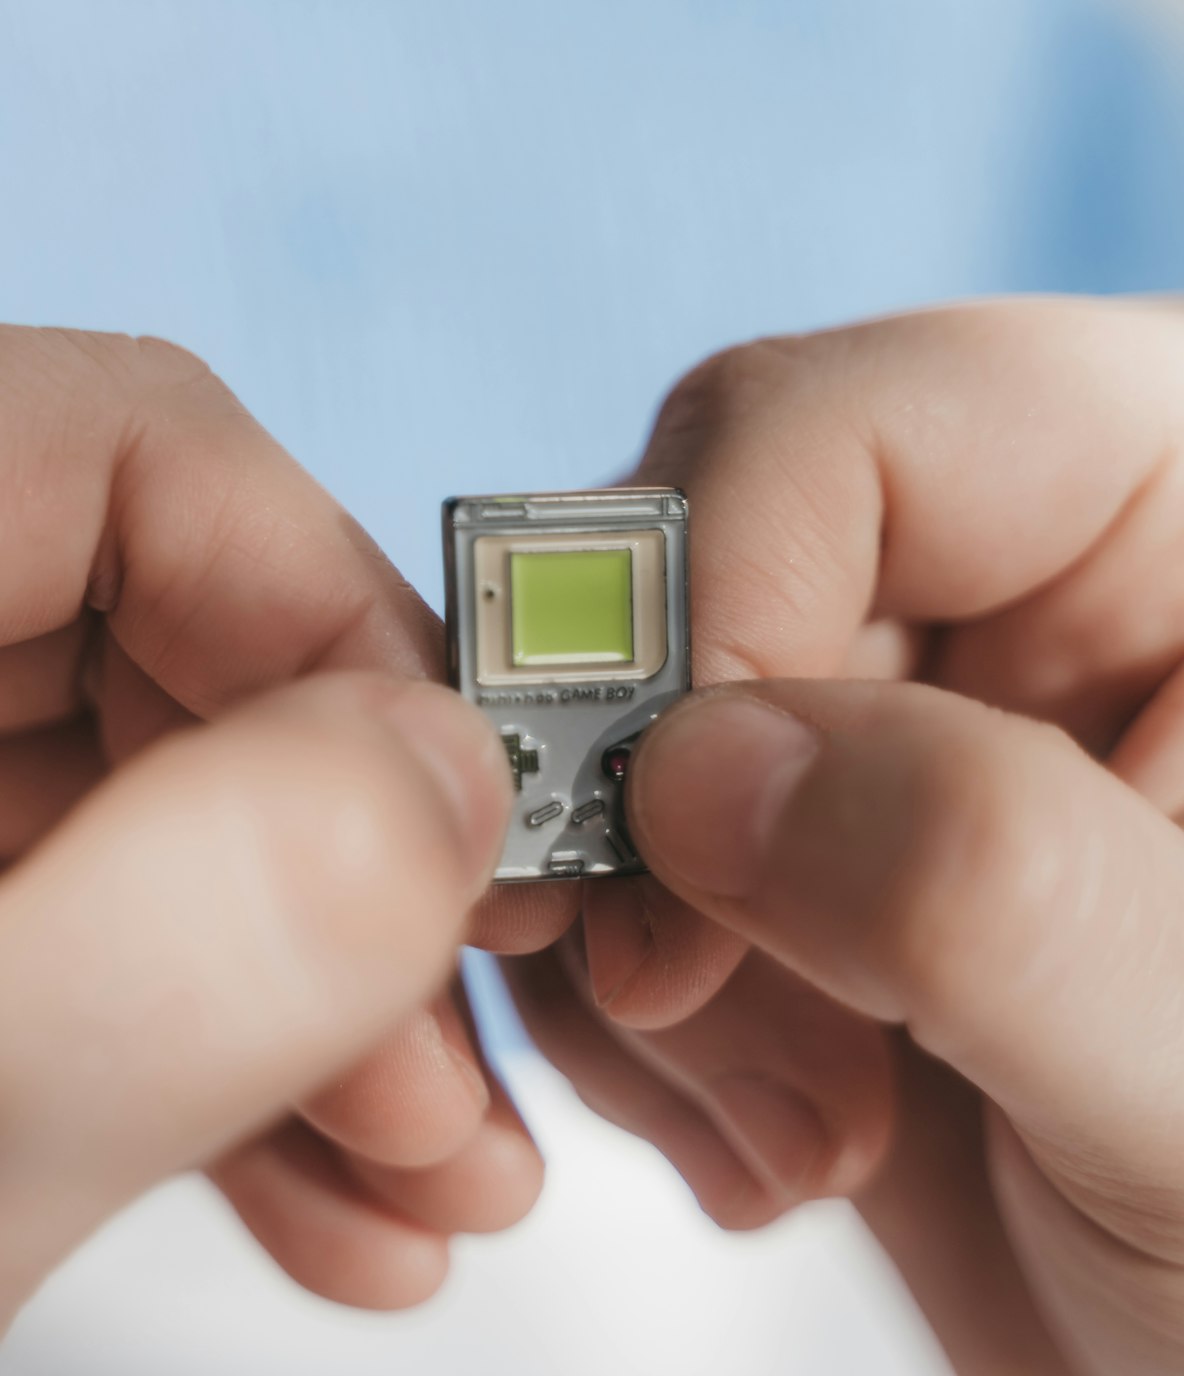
(933, 467)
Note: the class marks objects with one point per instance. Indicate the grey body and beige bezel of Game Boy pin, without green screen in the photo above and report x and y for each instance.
(568, 731)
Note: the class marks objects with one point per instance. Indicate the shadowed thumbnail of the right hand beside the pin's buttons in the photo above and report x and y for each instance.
(710, 785)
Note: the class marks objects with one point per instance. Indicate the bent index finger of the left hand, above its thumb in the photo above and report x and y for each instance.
(134, 482)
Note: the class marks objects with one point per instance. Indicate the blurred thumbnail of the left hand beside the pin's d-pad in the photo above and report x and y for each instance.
(465, 759)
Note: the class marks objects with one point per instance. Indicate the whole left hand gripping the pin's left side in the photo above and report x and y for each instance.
(199, 934)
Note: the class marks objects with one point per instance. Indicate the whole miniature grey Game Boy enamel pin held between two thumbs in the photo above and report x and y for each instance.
(568, 625)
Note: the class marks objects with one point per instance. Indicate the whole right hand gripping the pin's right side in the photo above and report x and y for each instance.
(964, 1007)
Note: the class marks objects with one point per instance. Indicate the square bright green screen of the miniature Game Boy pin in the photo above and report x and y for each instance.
(572, 608)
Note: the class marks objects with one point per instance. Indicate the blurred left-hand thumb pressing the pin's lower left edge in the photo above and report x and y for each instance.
(217, 929)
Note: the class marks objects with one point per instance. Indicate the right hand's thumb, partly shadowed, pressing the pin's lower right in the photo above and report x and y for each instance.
(977, 877)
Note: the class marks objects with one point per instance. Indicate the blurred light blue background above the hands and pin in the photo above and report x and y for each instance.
(447, 246)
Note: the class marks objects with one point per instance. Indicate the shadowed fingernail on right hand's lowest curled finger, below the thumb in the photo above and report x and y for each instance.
(781, 1129)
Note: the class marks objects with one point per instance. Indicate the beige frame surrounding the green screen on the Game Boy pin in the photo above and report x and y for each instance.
(491, 577)
